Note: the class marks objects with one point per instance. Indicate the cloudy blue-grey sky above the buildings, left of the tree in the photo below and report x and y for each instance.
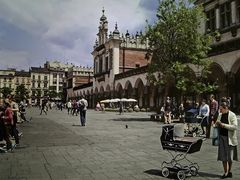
(35, 31)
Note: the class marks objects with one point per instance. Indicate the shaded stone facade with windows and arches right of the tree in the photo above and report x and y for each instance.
(223, 21)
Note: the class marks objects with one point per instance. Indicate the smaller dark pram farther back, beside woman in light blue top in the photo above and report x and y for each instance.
(193, 123)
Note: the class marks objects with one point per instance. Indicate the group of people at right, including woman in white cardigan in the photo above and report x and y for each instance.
(214, 114)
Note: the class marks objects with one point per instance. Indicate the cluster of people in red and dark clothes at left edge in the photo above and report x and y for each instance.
(11, 113)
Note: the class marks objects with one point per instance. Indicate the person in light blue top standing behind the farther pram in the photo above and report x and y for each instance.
(204, 114)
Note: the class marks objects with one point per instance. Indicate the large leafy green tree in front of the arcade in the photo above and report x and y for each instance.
(175, 45)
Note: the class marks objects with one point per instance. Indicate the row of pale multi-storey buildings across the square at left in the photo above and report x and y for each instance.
(48, 81)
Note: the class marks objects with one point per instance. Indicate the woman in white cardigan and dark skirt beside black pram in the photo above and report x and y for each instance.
(227, 149)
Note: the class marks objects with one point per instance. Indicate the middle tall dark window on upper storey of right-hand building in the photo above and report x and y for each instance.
(225, 15)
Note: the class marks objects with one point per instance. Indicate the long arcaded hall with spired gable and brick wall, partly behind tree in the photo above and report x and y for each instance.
(120, 66)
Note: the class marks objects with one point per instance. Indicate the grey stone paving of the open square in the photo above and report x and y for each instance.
(55, 147)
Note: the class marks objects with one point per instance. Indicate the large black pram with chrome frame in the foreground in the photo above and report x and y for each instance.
(181, 146)
